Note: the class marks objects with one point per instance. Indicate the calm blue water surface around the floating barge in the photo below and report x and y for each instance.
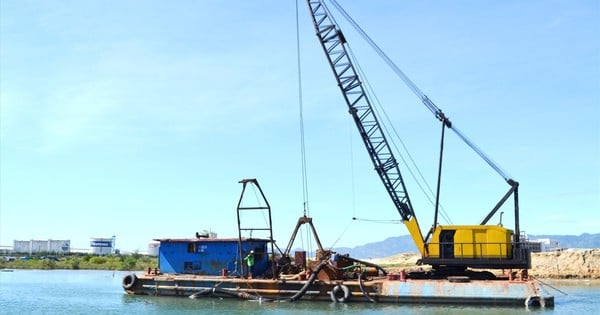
(99, 292)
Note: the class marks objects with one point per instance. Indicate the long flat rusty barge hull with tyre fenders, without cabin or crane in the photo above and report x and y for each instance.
(381, 289)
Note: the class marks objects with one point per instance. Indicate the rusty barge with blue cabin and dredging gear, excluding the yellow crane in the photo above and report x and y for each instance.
(204, 267)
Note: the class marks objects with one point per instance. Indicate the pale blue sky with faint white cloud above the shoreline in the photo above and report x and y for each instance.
(138, 118)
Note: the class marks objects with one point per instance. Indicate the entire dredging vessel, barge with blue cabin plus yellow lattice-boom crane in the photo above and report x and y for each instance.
(215, 267)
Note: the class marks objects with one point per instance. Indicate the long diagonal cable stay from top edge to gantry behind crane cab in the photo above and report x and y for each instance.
(426, 101)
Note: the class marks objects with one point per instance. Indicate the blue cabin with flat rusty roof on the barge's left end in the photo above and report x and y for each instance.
(211, 256)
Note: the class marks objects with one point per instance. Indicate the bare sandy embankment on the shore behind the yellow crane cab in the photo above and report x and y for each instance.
(566, 264)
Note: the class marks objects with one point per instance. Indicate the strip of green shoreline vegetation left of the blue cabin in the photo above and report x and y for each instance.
(82, 261)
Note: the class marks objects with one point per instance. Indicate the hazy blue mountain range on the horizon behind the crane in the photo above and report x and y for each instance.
(404, 244)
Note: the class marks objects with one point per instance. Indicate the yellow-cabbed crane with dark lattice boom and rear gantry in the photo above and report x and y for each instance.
(446, 247)
